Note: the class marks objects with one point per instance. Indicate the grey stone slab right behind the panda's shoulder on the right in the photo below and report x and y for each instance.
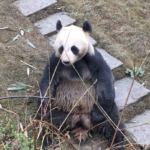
(111, 61)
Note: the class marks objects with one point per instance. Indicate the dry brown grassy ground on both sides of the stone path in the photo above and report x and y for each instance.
(121, 27)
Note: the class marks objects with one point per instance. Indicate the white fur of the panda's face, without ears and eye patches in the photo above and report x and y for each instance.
(73, 36)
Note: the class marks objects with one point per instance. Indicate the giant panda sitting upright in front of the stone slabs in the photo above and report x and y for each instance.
(77, 72)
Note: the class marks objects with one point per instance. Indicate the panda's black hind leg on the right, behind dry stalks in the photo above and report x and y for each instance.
(108, 130)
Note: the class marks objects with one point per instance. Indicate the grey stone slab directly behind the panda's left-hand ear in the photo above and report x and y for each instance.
(48, 25)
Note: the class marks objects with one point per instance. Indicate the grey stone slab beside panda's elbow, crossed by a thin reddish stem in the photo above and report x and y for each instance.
(122, 88)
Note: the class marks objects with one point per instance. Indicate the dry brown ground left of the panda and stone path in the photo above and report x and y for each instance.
(11, 52)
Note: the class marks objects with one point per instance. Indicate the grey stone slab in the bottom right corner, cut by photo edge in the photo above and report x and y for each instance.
(141, 134)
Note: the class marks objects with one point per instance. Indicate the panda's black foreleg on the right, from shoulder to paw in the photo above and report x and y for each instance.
(104, 86)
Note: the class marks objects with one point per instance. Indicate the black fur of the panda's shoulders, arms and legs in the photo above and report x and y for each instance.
(104, 89)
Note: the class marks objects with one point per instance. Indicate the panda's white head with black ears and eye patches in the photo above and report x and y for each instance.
(72, 43)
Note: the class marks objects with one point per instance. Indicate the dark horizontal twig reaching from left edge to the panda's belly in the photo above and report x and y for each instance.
(26, 96)
